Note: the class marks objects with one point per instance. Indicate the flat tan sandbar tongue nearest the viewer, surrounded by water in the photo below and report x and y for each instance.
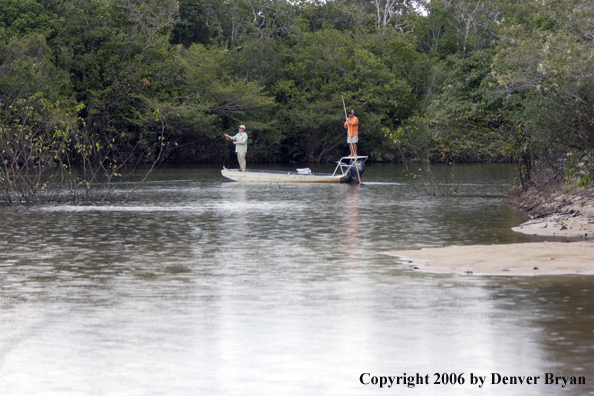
(522, 259)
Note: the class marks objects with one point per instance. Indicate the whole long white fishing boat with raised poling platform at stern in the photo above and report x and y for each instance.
(348, 169)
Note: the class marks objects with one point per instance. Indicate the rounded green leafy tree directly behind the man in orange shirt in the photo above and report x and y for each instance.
(327, 66)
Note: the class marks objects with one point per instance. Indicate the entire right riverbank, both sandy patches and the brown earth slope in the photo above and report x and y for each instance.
(567, 214)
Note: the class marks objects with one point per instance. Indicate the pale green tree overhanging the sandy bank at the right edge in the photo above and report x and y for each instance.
(545, 62)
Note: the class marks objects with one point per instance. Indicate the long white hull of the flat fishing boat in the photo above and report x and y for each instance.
(261, 176)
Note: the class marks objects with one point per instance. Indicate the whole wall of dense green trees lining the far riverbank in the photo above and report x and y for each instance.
(102, 85)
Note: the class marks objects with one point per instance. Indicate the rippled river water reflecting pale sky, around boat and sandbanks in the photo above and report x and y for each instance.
(205, 287)
